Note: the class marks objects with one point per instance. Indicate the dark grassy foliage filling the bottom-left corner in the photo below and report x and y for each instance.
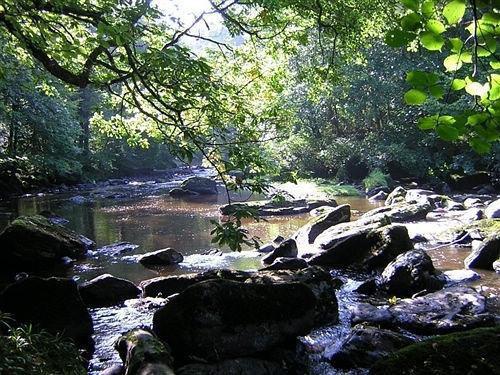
(26, 351)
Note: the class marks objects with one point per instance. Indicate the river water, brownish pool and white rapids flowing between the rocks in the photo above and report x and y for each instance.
(152, 220)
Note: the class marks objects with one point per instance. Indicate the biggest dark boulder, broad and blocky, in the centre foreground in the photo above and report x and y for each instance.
(221, 319)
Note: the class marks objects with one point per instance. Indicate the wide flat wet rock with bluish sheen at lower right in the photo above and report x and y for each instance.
(457, 308)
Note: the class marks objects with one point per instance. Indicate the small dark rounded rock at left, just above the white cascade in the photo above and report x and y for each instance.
(107, 290)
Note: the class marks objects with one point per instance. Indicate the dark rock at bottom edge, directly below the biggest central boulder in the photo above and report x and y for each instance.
(243, 366)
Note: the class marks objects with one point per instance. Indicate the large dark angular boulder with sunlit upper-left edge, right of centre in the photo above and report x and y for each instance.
(368, 247)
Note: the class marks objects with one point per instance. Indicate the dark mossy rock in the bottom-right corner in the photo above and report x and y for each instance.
(471, 352)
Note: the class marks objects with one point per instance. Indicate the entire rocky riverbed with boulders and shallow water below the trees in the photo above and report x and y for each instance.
(346, 283)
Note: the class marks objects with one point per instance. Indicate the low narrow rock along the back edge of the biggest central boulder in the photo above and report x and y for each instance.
(165, 286)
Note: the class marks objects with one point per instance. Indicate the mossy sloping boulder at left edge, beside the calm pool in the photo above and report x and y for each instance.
(32, 241)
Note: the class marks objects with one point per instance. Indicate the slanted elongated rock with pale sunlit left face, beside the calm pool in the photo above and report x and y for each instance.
(306, 235)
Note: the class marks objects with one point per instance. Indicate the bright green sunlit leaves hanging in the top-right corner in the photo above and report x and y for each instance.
(466, 34)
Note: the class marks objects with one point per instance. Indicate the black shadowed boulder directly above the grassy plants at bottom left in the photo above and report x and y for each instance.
(53, 304)
